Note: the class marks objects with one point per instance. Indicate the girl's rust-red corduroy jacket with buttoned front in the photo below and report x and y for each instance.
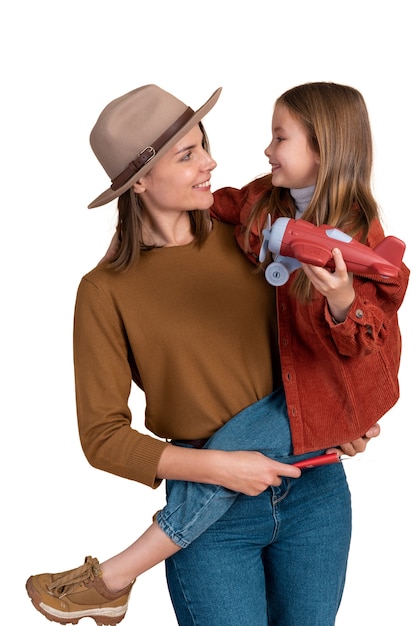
(339, 379)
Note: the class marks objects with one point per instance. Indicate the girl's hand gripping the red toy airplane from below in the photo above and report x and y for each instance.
(336, 286)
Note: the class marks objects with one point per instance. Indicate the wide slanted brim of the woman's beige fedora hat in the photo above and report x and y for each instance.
(110, 194)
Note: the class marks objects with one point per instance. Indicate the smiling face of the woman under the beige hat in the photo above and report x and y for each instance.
(180, 180)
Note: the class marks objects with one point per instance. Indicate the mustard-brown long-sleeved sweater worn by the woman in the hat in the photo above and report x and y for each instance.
(194, 327)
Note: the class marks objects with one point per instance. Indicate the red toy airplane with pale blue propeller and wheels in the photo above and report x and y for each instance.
(293, 242)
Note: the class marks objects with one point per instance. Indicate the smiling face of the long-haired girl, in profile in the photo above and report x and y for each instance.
(294, 163)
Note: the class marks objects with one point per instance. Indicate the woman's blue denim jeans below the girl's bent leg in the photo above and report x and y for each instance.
(278, 559)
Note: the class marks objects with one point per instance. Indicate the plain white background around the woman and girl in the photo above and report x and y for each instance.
(61, 64)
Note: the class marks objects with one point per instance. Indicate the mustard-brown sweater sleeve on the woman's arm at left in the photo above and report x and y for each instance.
(103, 380)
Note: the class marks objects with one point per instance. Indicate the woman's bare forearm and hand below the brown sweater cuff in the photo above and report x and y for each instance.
(247, 472)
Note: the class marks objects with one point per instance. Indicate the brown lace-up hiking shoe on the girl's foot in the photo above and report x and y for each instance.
(67, 597)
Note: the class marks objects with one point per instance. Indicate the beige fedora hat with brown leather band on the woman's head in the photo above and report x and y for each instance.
(136, 130)
